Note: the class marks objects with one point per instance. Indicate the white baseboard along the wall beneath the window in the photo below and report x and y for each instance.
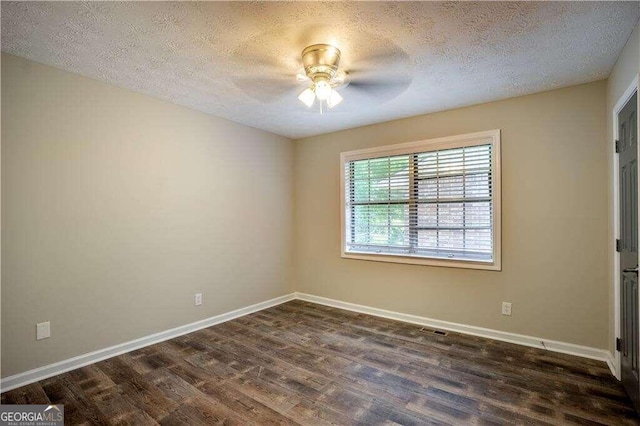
(519, 339)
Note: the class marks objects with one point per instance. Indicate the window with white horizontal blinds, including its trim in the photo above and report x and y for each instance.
(434, 202)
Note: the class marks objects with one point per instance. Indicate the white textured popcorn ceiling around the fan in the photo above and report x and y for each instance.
(238, 60)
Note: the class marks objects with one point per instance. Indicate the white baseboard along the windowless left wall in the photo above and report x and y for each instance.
(37, 374)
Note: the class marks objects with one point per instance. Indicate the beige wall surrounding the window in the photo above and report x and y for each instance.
(555, 216)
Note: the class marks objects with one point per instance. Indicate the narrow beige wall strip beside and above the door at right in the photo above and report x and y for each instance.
(622, 75)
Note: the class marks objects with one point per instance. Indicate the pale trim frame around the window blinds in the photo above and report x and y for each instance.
(470, 139)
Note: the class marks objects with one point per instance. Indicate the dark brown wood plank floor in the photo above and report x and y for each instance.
(301, 363)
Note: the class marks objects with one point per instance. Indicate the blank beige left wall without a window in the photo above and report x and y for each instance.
(117, 208)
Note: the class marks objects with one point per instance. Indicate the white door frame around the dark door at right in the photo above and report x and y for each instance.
(622, 101)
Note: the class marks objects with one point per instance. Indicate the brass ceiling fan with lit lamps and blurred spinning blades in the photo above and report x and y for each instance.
(374, 71)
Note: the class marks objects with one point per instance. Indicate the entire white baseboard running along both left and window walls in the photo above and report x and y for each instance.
(37, 374)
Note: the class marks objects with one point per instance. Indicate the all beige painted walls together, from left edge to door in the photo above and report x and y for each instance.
(118, 207)
